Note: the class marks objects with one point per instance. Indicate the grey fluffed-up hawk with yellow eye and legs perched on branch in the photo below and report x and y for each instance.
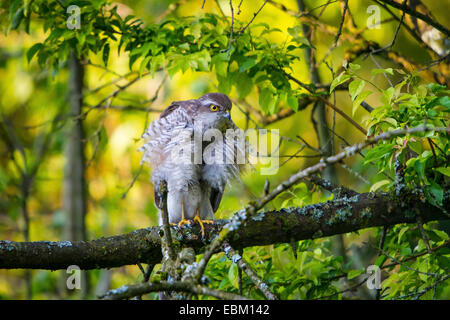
(196, 149)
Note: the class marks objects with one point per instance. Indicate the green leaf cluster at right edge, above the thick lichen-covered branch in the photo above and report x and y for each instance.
(418, 104)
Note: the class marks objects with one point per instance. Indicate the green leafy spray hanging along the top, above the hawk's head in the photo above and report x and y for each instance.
(200, 44)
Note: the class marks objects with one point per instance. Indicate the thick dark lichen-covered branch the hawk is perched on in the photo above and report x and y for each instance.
(283, 226)
